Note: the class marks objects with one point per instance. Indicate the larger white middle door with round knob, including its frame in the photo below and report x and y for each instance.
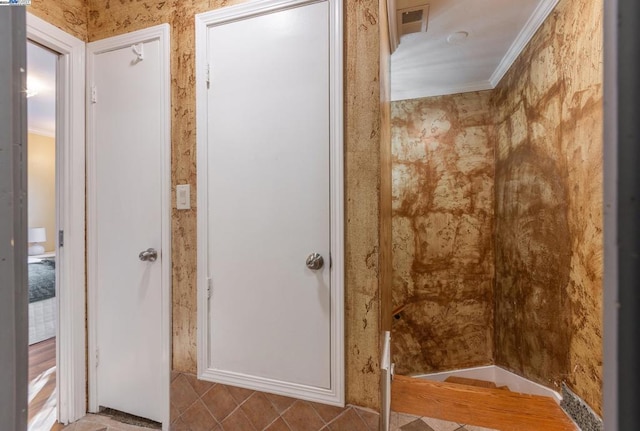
(270, 170)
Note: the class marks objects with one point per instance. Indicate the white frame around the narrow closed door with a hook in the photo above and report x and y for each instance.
(160, 33)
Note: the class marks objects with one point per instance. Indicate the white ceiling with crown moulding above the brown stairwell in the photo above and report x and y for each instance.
(426, 64)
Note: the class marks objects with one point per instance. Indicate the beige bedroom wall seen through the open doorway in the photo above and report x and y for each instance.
(41, 167)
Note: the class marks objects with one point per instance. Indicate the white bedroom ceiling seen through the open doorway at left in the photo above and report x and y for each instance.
(41, 79)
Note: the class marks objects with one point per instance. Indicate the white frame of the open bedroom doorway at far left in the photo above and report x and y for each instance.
(70, 200)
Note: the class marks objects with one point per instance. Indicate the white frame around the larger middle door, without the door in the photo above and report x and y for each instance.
(336, 394)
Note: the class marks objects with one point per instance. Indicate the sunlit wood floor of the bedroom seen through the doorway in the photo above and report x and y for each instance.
(42, 386)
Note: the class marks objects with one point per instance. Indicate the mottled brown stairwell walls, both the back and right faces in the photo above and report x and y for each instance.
(535, 307)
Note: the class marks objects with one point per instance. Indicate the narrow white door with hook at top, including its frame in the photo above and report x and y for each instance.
(128, 212)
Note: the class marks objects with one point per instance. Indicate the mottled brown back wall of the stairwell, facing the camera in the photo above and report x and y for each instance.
(443, 262)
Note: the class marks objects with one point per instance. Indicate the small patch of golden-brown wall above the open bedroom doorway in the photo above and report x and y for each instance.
(68, 15)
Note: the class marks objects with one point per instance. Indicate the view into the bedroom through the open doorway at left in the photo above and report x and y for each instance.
(42, 162)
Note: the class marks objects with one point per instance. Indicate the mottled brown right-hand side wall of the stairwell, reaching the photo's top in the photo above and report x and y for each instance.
(548, 316)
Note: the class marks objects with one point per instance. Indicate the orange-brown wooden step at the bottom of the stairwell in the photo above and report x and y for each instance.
(486, 407)
